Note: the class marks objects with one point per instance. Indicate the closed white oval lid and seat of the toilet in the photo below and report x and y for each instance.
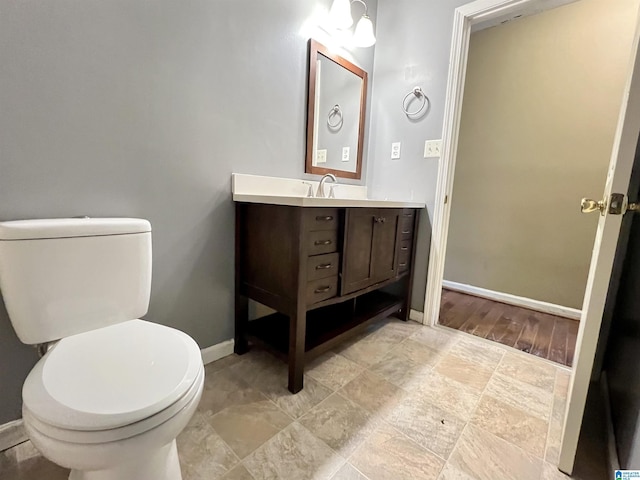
(113, 376)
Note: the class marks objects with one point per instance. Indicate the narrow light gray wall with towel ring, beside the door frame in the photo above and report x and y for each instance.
(414, 41)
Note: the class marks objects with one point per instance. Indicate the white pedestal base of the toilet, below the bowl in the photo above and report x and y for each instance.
(162, 464)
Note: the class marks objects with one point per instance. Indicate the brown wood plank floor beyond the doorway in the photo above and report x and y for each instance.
(540, 334)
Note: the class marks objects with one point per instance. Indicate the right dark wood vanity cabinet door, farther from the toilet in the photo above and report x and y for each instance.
(385, 239)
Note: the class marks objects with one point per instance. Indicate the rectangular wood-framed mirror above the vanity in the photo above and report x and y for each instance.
(336, 106)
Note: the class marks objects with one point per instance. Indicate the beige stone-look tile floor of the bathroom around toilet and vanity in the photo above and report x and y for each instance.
(402, 401)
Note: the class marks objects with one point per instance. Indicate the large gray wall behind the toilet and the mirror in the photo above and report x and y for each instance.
(144, 109)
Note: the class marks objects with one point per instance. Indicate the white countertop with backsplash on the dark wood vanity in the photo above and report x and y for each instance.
(292, 192)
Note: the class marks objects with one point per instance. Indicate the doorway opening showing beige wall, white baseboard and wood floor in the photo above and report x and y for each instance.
(532, 140)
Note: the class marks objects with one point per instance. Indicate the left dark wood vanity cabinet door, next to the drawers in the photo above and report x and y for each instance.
(358, 248)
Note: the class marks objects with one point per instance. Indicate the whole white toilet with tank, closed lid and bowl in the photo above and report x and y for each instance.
(110, 397)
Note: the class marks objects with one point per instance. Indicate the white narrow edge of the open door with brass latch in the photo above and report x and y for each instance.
(604, 250)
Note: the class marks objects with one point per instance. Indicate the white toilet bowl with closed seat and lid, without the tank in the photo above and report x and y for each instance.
(70, 418)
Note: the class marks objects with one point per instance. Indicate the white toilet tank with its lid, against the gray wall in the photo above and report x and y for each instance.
(61, 277)
